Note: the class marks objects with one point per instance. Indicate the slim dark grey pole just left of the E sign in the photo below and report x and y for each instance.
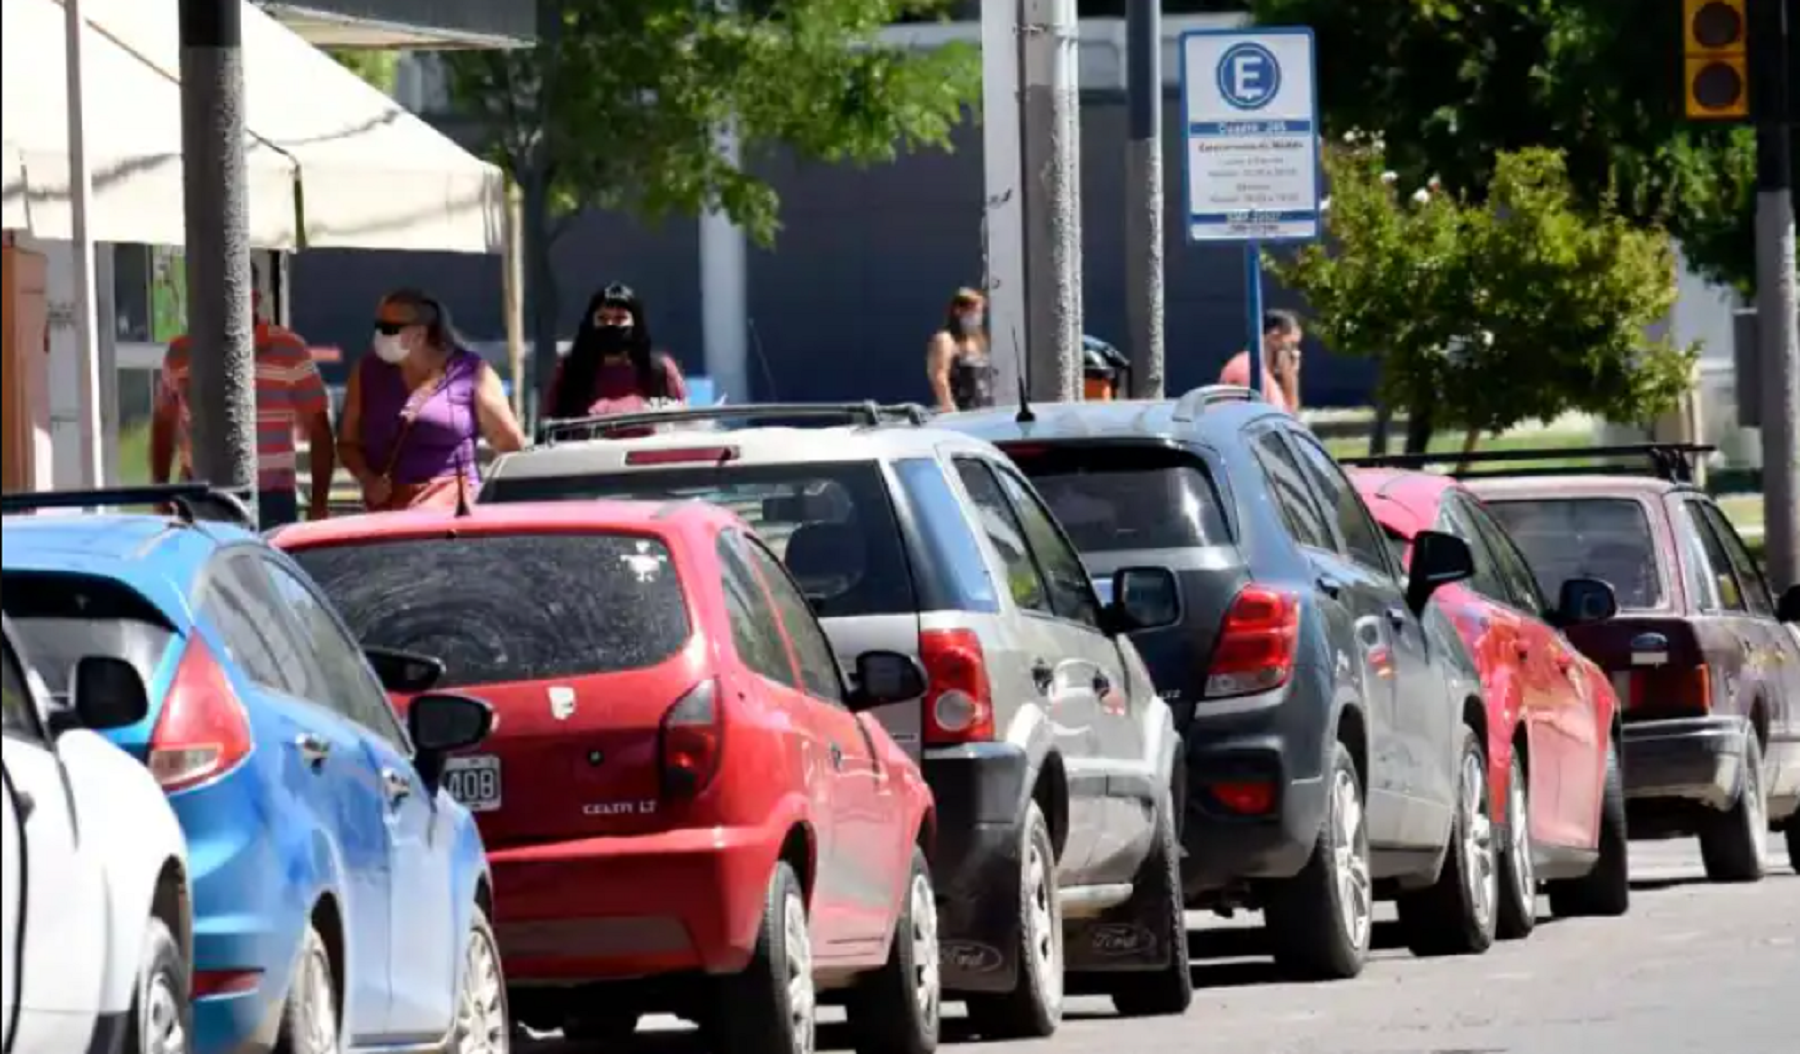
(1144, 195)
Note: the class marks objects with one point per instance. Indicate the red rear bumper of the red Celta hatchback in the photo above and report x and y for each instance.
(613, 909)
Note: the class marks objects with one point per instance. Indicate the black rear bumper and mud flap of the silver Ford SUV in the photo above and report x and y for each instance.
(980, 792)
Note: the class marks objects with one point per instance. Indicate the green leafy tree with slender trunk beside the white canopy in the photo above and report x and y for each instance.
(622, 102)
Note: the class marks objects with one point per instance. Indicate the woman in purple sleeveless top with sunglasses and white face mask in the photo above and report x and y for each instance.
(417, 407)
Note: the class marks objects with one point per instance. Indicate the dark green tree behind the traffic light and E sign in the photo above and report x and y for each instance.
(1453, 84)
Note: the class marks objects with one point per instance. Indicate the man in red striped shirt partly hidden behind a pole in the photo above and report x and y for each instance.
(291, 397)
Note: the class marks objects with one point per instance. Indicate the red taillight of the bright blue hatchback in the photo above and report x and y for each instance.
(204, 731)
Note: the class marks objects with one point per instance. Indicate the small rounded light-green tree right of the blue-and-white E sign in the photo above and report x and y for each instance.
(1522, 305)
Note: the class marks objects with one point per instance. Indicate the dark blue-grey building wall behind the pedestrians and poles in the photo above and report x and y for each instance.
(843, 303)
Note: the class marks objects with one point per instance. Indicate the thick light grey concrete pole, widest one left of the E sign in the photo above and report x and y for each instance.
(1052, 222)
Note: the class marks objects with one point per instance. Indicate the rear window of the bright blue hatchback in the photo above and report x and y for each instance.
(64, 618)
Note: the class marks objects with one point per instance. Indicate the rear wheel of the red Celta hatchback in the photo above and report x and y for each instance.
(769, 1008)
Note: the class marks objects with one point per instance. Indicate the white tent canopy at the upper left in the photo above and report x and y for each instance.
(361, 170)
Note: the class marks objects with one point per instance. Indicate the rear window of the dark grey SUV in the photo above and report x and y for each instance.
(1115, 499)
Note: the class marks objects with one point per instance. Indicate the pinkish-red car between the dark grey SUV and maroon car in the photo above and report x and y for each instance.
(1552, 713)
